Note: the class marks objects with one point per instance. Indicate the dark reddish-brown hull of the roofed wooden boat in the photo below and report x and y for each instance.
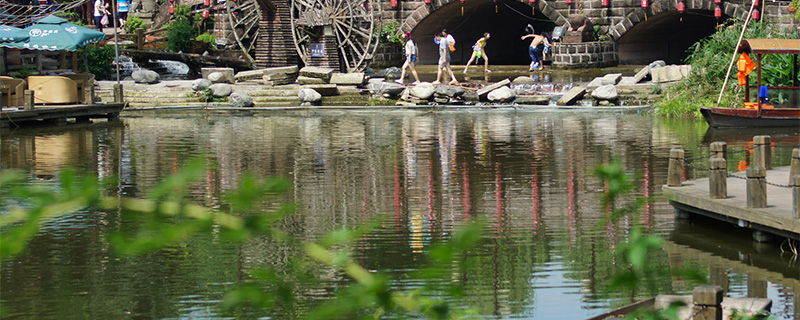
(731, 117)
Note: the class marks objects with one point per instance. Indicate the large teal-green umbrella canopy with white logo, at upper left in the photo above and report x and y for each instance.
(53, 34)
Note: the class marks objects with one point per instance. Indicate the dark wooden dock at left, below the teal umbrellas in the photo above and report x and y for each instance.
(59, 114)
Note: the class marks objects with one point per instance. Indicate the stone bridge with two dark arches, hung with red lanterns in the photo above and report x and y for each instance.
(627, 32)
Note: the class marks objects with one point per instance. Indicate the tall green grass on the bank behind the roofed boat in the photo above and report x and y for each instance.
(710, 58)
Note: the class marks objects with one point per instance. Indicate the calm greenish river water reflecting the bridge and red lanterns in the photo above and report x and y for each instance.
(527, 174)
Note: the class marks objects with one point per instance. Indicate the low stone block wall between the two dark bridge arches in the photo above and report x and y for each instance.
(585, 55)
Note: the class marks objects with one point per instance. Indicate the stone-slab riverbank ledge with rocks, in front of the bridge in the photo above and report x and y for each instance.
(541, 88)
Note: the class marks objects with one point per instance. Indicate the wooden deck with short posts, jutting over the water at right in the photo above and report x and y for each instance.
(777, 215)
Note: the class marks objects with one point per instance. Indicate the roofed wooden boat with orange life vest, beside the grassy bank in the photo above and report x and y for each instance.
(760, 114)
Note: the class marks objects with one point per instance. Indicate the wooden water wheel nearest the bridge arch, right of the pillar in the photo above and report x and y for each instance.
(348, 25)
